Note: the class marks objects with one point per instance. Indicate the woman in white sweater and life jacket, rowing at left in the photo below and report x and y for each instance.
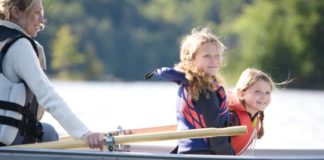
(25, 90)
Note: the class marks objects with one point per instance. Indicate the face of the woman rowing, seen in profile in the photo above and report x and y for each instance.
(32, 20)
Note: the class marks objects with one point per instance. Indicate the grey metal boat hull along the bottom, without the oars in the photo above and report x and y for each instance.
(142, 152)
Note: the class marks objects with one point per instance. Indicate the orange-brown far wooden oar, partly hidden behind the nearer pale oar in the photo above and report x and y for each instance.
(137, 131)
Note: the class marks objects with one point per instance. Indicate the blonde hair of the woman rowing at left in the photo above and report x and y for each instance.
(6, 7)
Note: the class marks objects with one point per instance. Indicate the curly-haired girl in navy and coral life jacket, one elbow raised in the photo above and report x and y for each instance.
(201, 98)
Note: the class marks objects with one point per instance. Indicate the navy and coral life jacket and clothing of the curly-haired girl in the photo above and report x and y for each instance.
(211, 112)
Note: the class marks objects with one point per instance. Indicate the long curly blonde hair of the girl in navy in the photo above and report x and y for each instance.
(199, 81)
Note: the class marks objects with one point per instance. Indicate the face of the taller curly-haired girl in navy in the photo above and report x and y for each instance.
(208, 58)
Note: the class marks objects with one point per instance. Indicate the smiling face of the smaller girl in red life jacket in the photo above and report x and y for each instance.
(257, 97)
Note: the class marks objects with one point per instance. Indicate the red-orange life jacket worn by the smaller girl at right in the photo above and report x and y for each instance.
(241, 142)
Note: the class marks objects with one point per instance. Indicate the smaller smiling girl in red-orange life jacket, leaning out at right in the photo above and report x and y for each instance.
(252, 96)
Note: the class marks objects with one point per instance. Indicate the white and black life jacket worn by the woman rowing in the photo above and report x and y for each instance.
(18, 105)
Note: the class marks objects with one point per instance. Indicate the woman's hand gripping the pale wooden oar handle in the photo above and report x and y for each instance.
(94, 140)
